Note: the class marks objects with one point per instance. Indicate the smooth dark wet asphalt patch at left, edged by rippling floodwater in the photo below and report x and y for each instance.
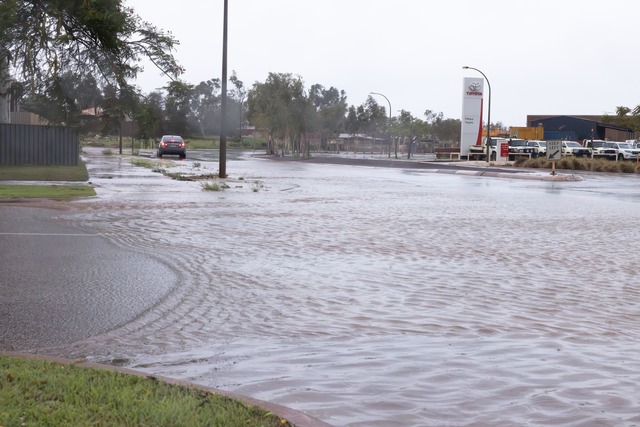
(59, 284)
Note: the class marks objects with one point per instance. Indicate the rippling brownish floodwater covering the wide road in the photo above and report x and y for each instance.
(384, 297)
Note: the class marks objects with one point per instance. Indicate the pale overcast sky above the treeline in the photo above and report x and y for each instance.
(545, 57)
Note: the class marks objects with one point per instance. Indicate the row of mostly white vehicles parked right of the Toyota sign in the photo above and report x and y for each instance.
(613, 150)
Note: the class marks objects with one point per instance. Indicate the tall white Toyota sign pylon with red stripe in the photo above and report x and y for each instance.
(472, 95)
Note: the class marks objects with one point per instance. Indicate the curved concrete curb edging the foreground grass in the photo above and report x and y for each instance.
(299, 419)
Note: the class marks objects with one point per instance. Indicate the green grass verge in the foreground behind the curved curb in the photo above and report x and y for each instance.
(37, 393)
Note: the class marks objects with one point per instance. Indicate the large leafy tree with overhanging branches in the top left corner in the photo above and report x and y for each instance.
(42, 39)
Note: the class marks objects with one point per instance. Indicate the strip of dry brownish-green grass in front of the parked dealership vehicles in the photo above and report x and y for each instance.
(582, 164)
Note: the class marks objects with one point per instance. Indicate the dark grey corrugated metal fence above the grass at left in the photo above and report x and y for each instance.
(38, 145)
